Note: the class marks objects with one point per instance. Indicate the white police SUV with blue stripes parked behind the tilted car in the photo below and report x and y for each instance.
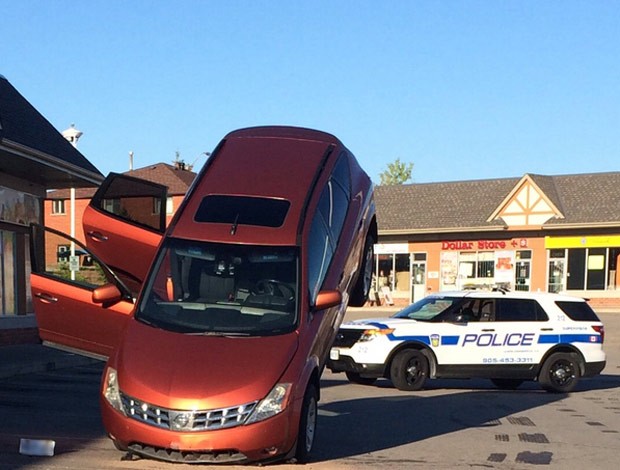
(506, 337)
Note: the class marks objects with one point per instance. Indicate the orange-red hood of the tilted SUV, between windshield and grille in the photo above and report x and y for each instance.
(178, 371)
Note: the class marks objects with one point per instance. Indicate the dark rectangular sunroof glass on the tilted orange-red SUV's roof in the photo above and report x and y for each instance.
(263, 212)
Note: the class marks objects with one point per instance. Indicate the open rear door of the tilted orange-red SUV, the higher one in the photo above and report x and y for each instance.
(124, 224)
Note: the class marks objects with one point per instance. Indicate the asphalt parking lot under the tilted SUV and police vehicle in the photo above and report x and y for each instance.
(450, 424)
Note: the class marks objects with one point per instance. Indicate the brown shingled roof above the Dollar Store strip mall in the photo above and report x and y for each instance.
(584, 199)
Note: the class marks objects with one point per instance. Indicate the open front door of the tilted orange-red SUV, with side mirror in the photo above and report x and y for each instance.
(79, 303)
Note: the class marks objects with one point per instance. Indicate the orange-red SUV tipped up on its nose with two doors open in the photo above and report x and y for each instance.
(216, 330)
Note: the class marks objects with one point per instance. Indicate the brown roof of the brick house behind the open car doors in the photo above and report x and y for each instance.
(176, 180)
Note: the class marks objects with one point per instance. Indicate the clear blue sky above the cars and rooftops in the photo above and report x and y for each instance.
(461, 89)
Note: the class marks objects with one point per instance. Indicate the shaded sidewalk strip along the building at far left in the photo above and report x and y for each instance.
(23, 359)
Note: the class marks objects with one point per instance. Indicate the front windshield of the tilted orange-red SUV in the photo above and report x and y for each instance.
(222, 289)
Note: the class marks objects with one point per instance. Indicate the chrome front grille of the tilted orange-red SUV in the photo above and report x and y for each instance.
(180, 420)
